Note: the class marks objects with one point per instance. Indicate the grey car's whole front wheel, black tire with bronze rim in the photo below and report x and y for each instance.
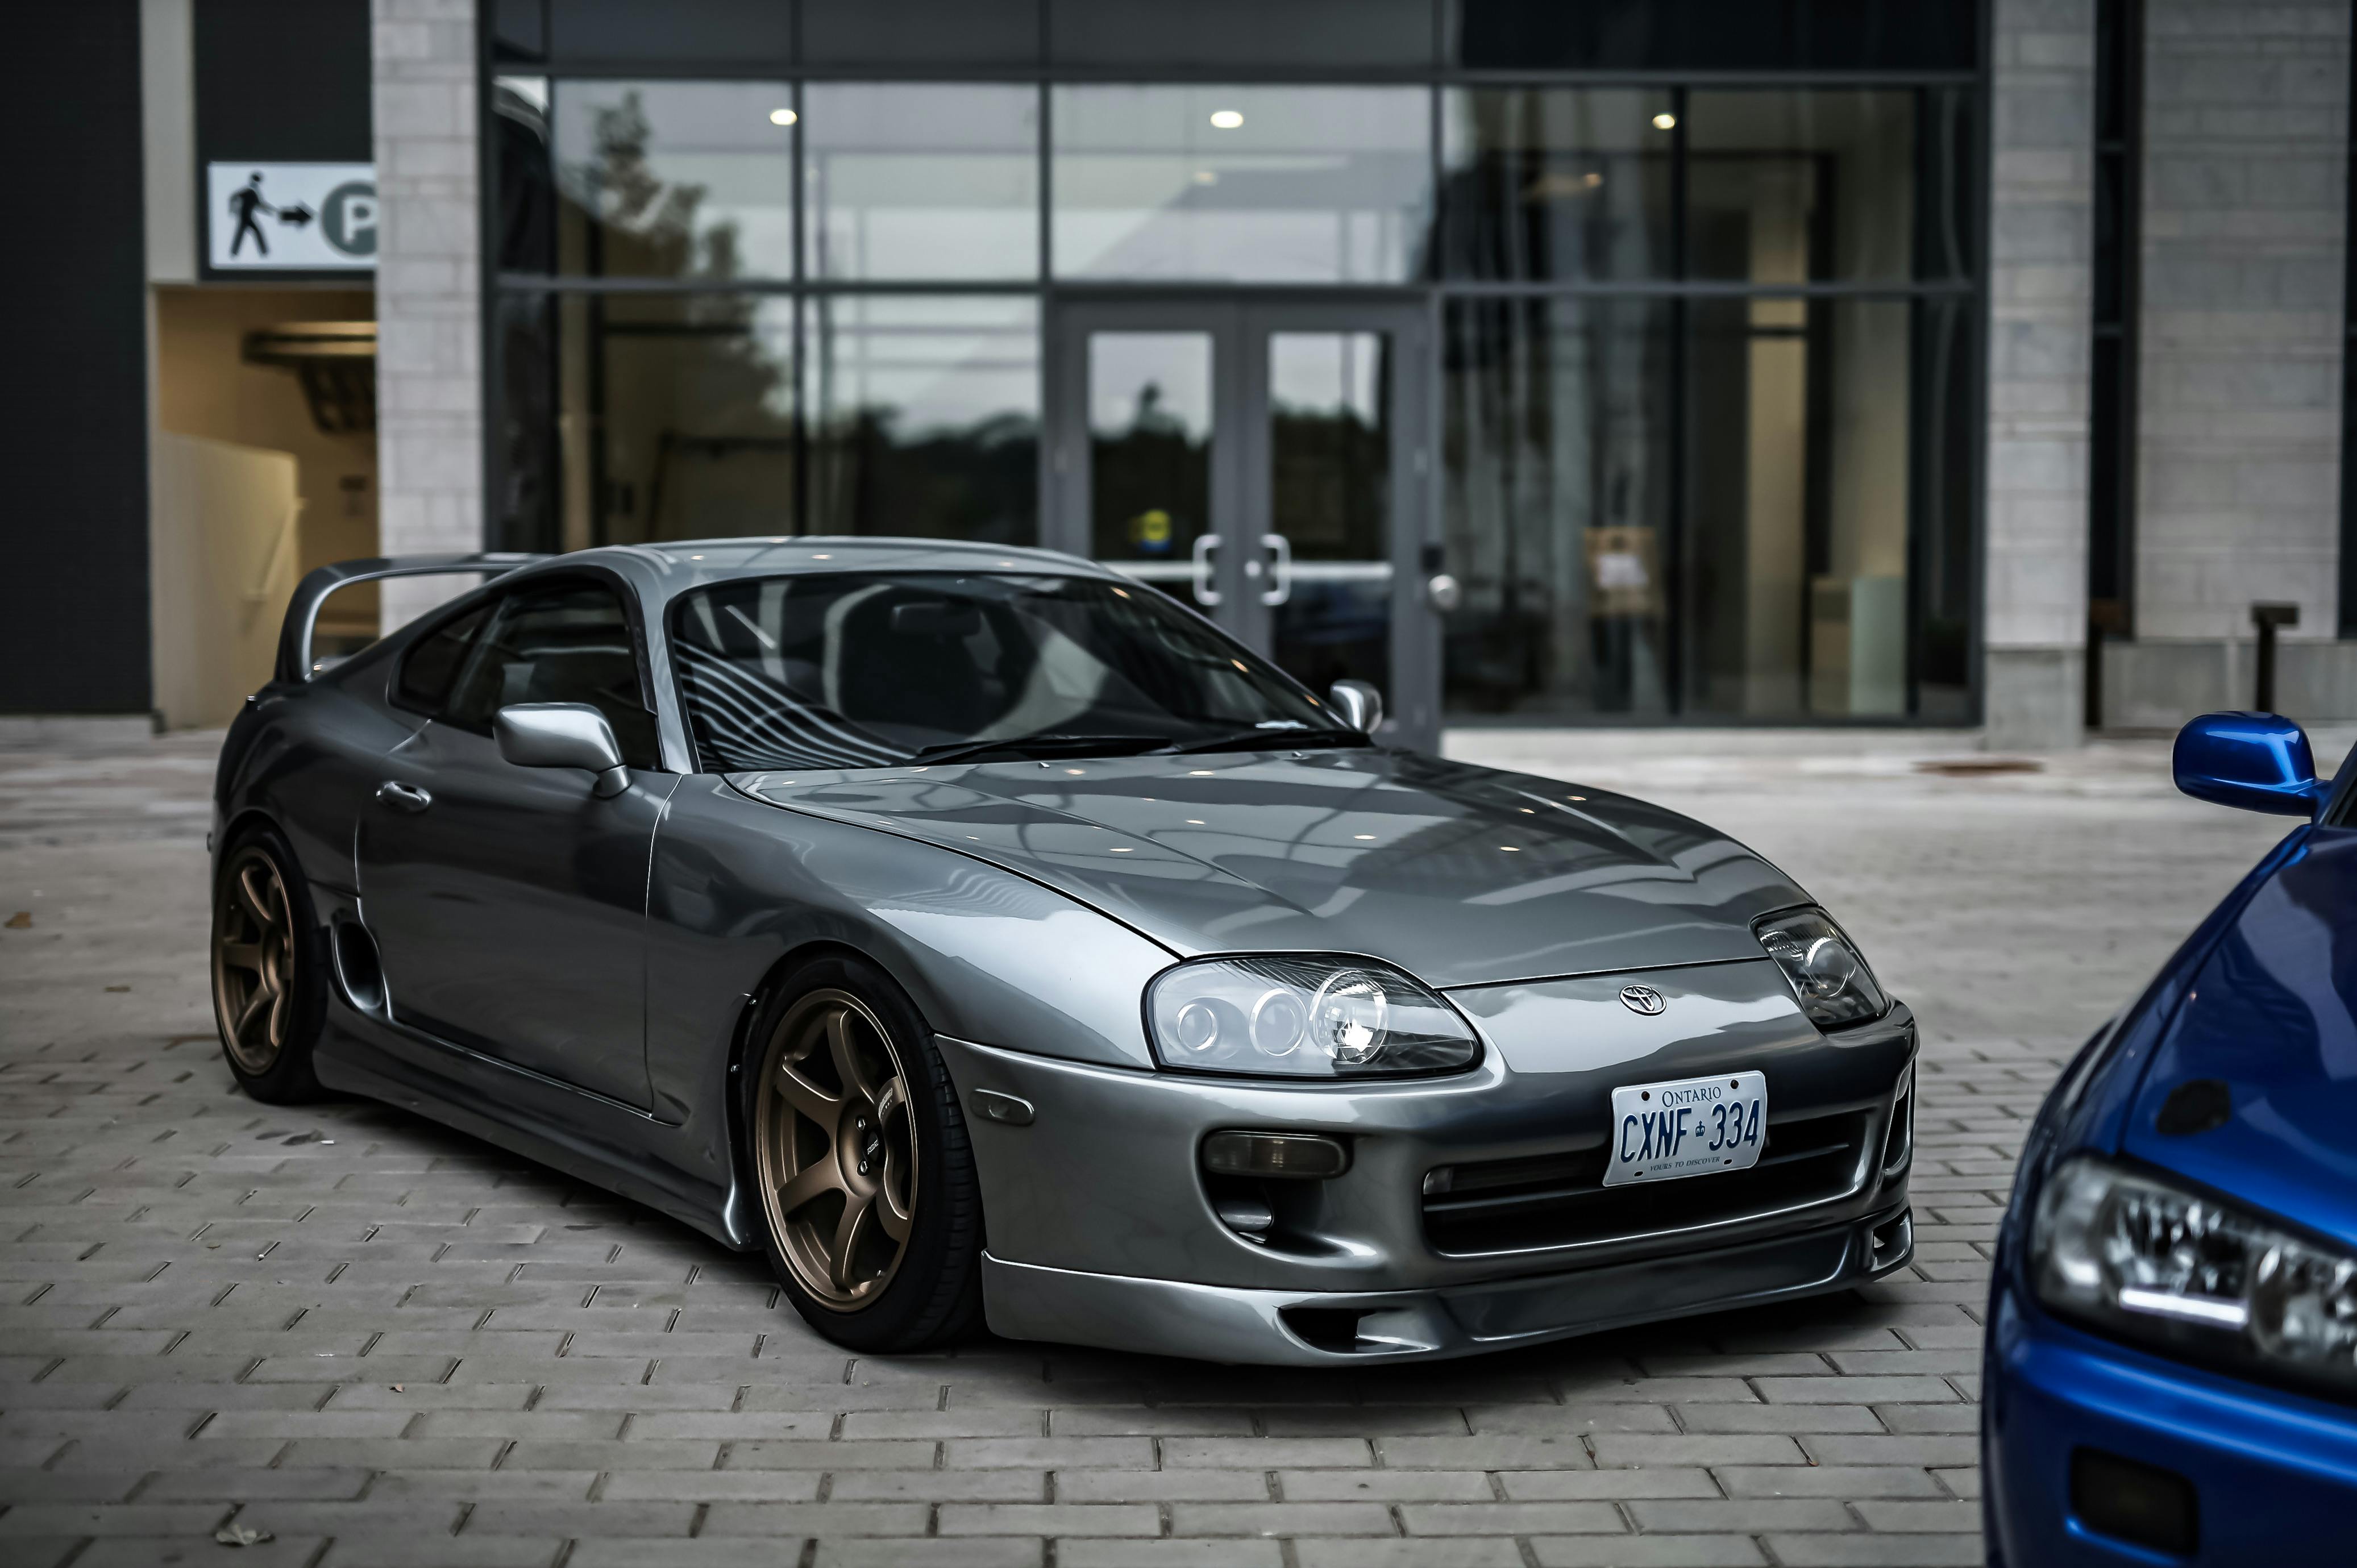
(807, 1175)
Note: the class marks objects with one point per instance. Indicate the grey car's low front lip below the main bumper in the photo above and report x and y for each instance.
(1326, 1329)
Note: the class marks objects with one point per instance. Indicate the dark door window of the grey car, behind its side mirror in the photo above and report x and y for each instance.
(567, 643)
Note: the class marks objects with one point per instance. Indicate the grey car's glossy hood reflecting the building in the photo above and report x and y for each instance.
(1455, 874)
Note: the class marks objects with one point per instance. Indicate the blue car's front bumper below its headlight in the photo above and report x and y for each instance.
(2273, 1473)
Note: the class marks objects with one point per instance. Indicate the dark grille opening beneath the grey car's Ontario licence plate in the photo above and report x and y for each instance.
(1552, 1201)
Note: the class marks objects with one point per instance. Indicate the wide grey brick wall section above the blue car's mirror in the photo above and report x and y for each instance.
(2240, 336)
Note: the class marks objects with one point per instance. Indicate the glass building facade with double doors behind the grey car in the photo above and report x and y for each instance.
(1691, 419)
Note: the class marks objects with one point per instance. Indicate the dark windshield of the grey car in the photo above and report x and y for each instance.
(859, 671)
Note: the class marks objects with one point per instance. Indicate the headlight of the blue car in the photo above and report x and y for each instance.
(2151, 1263)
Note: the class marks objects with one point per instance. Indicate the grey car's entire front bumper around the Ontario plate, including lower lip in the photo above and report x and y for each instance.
(1472, 1211)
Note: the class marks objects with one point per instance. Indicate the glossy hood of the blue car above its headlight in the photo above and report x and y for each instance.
(2273, 1015)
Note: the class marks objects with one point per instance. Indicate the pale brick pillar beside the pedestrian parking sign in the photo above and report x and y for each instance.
(430, 301)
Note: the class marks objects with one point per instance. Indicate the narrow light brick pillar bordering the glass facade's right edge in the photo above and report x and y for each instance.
(2042, 237)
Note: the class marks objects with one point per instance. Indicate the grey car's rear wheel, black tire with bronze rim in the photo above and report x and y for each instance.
(270, 970)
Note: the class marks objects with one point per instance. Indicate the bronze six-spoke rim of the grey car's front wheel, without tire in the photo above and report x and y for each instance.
(836, 1149)
